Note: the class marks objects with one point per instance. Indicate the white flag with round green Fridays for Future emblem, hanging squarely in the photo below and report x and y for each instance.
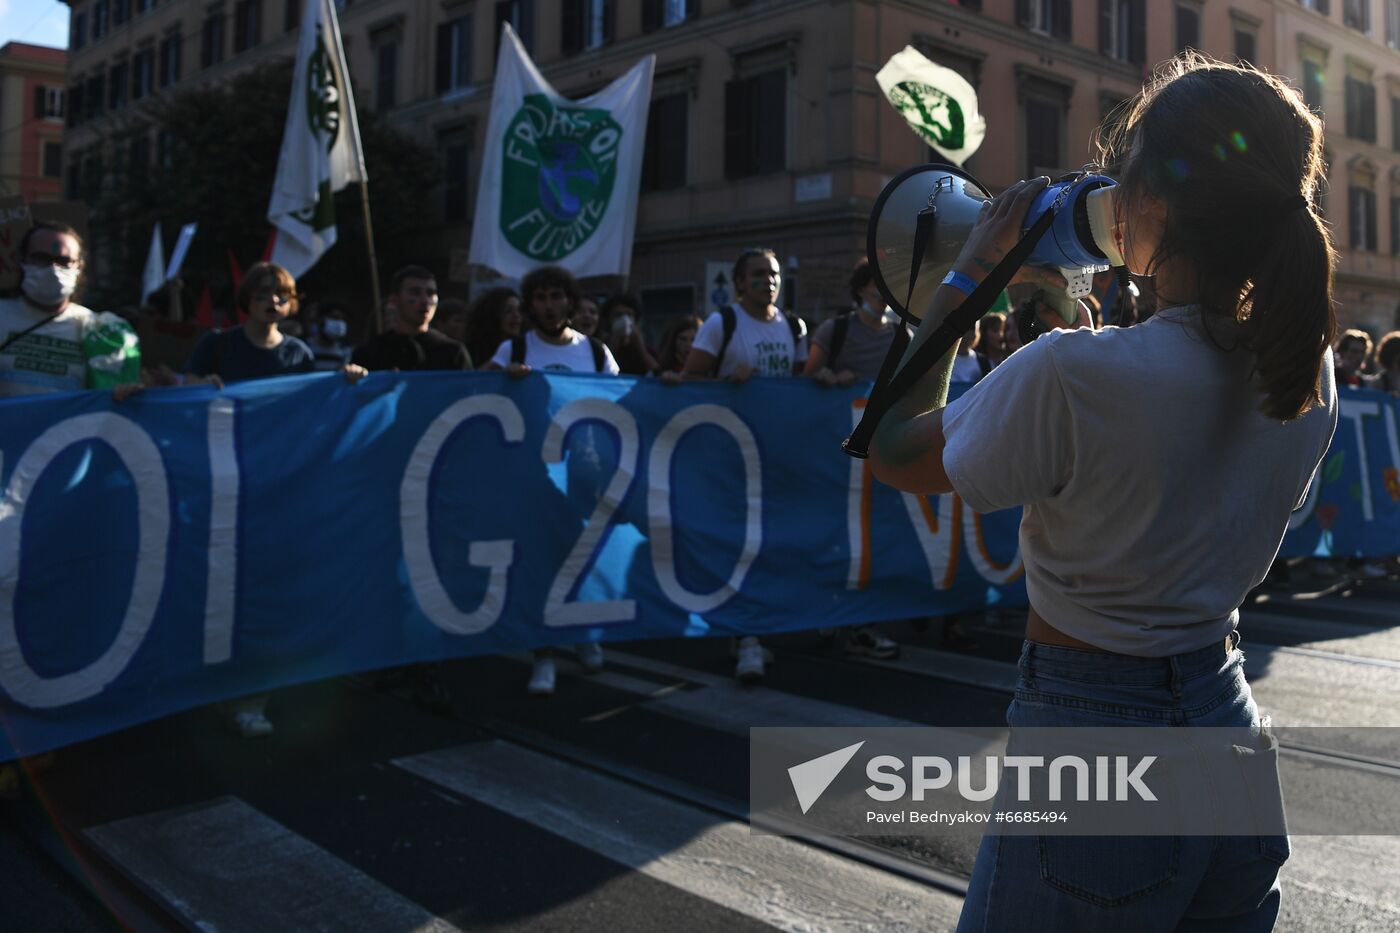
(559, 179)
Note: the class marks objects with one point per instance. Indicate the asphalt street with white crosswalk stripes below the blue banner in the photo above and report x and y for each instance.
(619, 803)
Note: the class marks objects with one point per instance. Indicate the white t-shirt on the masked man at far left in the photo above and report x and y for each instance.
(48, 359)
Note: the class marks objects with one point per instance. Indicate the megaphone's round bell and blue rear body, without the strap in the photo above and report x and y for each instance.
(947, 201)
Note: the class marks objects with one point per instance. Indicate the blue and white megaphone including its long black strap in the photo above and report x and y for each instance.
(918, 230)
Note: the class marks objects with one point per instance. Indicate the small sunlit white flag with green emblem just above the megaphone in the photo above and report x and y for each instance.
(937, 103)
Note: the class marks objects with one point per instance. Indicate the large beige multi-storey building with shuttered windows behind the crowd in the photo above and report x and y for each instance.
(766, 125)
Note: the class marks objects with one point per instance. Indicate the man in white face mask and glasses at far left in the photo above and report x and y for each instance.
(52, 344)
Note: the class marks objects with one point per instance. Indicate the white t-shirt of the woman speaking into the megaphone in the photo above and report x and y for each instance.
(1156, 492)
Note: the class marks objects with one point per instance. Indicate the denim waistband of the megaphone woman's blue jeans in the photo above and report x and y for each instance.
(1079, 665)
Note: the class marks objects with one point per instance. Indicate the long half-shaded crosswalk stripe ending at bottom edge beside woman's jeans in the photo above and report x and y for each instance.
(771, 879)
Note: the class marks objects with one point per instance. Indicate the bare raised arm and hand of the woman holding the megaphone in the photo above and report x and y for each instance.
(908, 449)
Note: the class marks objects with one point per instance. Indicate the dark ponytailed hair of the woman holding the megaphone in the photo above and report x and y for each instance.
(1237, 158)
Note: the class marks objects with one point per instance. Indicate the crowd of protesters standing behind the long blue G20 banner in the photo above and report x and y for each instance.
(549, 324)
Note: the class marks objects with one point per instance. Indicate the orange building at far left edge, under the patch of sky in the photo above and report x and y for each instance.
(31, 121)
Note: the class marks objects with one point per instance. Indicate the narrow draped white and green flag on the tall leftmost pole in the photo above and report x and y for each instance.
(320, 146)
